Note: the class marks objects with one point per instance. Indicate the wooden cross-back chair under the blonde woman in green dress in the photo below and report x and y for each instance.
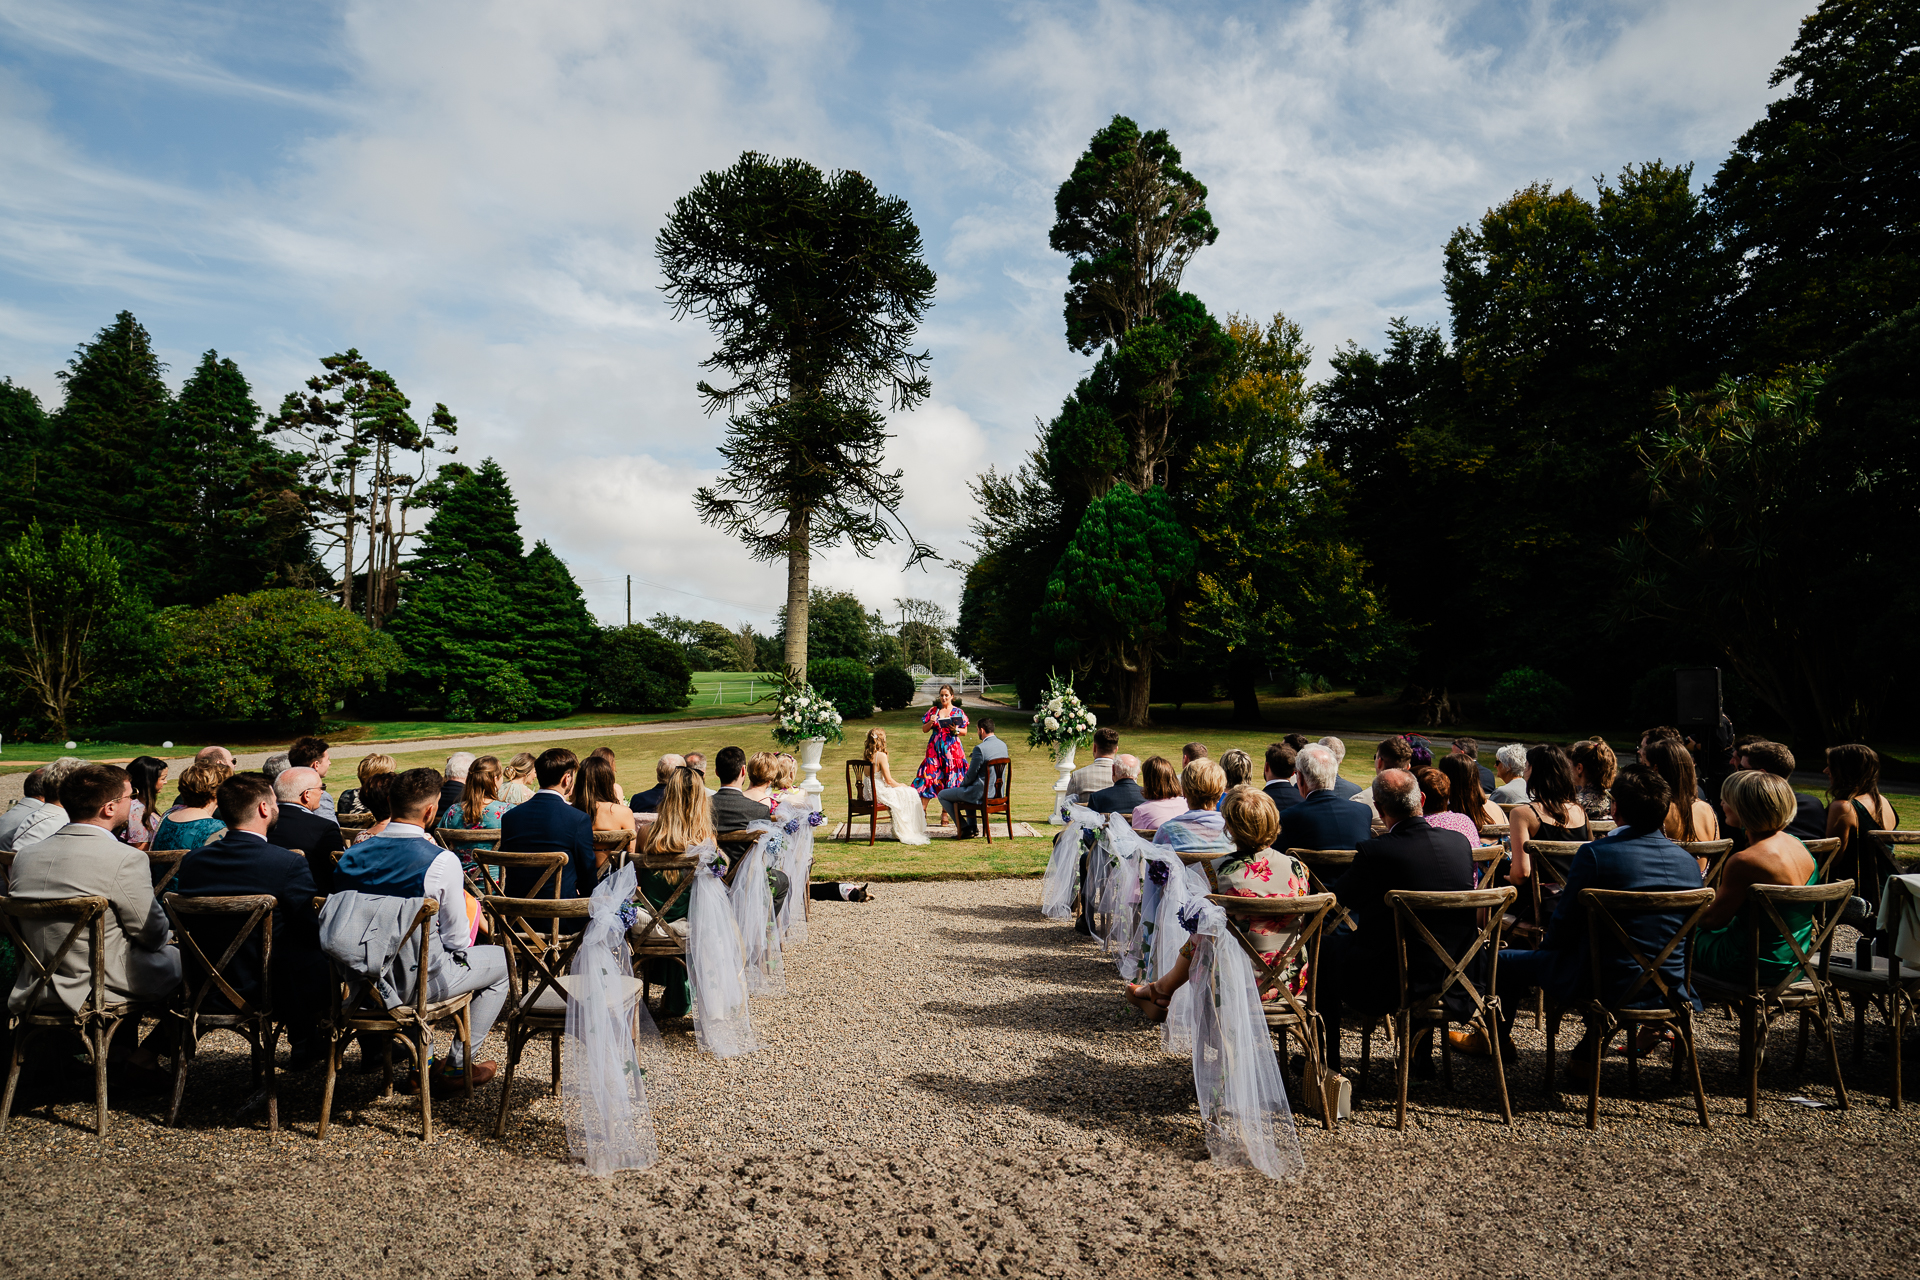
(1804, 989)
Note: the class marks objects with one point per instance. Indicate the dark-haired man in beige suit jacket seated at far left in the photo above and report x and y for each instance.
(84, 861)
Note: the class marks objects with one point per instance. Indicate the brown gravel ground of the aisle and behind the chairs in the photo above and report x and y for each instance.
(955, 1087)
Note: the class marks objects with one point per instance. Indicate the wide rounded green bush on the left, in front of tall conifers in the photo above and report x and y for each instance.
(272, 657)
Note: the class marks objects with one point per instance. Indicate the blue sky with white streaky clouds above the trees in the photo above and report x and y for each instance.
(469, 195)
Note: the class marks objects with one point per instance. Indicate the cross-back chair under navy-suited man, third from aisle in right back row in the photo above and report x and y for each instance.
(1608, 939)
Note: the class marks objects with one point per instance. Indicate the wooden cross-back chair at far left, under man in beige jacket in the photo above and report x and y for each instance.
(99, 1016)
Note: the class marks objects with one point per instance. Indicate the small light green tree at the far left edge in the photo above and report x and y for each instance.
(59, 607)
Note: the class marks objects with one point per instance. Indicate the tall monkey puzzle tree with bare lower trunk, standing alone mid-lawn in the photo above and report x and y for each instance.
(815, 287)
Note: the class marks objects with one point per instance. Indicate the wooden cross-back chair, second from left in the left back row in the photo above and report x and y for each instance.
(201, 978)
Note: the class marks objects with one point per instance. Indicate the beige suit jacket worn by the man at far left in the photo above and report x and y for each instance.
(85, 863)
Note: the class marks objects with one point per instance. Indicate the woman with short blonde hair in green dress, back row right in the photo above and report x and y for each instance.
(1760, 805)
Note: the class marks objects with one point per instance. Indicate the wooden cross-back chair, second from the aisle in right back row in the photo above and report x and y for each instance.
(1420, 1010)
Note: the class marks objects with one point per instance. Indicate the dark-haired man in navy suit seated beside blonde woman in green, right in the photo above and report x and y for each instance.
(1635, 857)
